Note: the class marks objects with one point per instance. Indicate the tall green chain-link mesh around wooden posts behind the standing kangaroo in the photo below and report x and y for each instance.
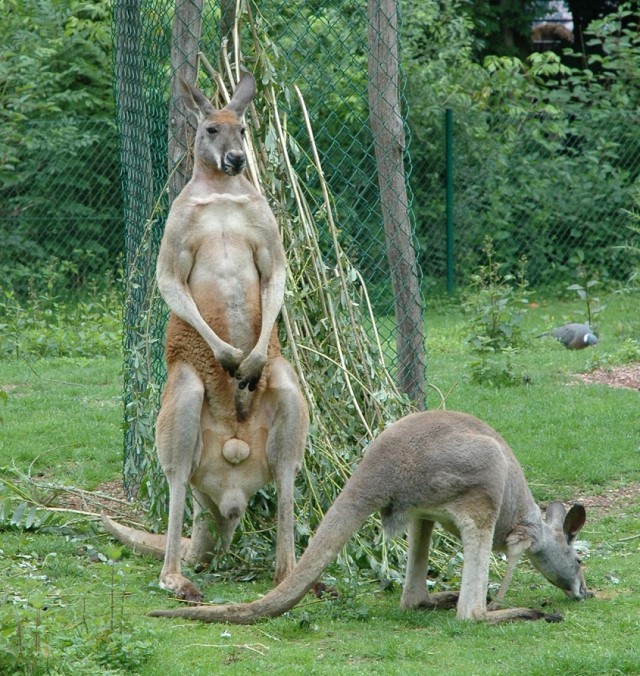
(324, 51)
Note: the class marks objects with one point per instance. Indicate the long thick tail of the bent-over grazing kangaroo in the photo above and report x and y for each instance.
(342, 520)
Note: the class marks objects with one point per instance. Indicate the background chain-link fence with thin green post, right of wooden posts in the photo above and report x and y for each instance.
(556, 190)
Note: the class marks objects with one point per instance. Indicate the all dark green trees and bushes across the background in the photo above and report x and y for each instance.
(546, 154)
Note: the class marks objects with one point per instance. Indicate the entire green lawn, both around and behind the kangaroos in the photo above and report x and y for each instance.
(72, 601)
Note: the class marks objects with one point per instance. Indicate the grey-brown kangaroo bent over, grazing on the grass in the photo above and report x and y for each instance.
(436, 466)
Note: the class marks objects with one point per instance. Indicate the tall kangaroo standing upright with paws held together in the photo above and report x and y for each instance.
(232, 416)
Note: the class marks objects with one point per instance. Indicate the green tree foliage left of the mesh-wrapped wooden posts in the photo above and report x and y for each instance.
(58, 150)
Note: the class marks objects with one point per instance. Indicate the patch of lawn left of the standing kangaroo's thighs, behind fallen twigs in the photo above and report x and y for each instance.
(62, 418)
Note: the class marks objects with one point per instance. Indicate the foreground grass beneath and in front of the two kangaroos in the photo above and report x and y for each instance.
(84, 605)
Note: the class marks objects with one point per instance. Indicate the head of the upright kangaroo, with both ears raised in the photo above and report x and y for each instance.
(219, 143)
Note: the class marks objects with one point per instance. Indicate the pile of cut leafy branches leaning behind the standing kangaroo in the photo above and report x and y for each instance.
(329, 330)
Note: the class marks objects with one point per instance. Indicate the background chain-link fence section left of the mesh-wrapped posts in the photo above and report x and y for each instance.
(61, 213)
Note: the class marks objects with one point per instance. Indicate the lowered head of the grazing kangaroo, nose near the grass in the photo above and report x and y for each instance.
(555, 556)
